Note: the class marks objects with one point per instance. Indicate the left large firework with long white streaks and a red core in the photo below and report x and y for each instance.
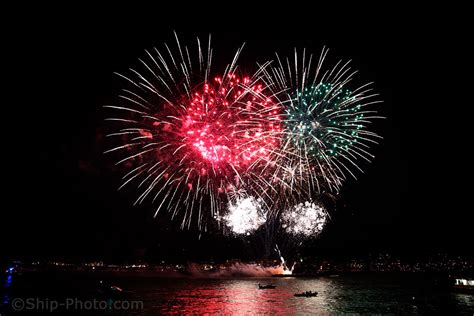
(185, 138)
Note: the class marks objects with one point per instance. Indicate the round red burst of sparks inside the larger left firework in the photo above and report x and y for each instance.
(227, 123)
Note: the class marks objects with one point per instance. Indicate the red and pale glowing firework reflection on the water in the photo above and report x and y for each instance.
(243, 296)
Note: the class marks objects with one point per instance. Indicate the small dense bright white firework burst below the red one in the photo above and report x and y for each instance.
(245, 216)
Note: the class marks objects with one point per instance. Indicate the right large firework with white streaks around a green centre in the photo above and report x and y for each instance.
(325, 124)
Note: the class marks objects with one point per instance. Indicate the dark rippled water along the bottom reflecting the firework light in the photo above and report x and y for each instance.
(345, 294)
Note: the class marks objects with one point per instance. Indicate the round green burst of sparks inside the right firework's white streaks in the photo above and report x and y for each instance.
(324, 120)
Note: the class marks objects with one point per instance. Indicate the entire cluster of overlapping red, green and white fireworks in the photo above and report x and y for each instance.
(232, 145)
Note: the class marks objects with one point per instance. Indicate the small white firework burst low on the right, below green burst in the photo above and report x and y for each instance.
(304, 220)
